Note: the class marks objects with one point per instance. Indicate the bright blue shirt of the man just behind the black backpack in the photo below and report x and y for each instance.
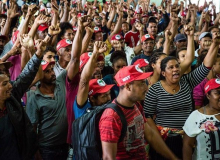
(78, 112)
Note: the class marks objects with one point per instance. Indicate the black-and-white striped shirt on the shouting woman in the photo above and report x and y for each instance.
(172, 110)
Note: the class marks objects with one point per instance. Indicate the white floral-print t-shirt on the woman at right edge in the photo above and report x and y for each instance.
(198, 125)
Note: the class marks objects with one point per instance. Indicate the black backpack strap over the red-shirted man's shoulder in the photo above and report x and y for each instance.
(122, 117)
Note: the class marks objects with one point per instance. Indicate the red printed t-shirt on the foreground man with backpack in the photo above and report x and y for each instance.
(110, 126)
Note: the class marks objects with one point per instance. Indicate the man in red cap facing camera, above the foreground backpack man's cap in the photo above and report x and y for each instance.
(147, 43)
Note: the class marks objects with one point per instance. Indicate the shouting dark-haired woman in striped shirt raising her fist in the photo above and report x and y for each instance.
(170, 98)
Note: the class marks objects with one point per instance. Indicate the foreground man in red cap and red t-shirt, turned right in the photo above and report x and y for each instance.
(132, 83)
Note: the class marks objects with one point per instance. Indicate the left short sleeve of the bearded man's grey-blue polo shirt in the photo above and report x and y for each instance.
(32, 108)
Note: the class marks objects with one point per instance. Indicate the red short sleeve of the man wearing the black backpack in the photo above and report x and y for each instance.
(110, 126)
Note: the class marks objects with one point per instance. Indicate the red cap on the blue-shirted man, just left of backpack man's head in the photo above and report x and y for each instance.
(98, 86)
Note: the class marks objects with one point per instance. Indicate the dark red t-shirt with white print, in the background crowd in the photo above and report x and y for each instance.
(132, 38)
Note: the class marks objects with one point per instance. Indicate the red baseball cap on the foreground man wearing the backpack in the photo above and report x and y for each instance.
(130, 73)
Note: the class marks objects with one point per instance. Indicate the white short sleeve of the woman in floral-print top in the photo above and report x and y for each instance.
(191, 126)
